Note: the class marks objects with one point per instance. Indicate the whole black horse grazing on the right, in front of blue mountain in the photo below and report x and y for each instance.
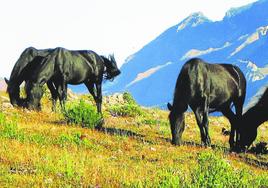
(207, 88)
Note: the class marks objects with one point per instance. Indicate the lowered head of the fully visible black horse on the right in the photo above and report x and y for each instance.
(177, 124)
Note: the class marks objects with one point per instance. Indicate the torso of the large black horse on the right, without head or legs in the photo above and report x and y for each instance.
(219, 83)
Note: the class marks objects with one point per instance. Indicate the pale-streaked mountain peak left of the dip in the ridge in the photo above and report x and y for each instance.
(193, 20)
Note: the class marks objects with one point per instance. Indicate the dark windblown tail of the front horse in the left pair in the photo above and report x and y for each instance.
(111, 67)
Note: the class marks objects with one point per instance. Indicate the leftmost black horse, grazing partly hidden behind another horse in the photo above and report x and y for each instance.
(27, 63)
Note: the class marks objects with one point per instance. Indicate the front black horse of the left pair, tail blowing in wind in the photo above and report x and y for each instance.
(72, 67)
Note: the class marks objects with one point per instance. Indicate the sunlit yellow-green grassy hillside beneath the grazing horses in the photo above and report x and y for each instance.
(39, 149)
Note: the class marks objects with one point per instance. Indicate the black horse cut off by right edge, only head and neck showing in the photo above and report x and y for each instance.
(252, 119)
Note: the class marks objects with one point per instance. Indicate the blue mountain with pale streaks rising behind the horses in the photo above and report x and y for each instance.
(241, 38)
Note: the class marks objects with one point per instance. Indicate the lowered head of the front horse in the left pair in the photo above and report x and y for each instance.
(34, 95)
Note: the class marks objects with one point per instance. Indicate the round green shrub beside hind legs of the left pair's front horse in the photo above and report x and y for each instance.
(82, 113)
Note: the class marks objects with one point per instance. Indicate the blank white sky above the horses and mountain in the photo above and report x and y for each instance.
(119, 26)
